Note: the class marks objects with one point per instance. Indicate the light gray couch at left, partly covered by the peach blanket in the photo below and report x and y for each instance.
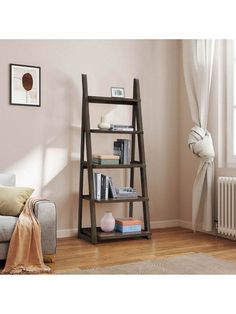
(45, 211)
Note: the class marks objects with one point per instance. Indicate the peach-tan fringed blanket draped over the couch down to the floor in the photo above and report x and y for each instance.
(25, 252)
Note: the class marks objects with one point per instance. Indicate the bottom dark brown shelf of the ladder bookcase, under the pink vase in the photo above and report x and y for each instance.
(103, 236)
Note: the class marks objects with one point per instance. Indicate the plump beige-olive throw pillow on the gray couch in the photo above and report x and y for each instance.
(13, 199)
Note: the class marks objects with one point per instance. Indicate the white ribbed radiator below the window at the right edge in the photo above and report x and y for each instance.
(227, 206)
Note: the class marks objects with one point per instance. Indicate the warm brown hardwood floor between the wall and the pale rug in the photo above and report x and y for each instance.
(73, 253)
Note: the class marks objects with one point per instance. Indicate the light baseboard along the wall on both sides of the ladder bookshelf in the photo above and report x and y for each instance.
(66, 233)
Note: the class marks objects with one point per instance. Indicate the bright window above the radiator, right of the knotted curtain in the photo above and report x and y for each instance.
(231, 102)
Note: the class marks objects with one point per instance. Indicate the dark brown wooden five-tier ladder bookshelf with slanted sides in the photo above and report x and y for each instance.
(94, 233)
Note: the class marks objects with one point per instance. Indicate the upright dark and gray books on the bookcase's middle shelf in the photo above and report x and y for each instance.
(122, 149)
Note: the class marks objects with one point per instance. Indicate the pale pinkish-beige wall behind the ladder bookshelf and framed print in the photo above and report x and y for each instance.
(41, 145)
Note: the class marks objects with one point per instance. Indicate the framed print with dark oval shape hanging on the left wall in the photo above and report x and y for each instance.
(25, 85)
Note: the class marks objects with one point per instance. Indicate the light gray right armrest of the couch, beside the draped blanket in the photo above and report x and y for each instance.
(45, 212)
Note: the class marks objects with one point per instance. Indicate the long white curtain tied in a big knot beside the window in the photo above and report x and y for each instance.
(198, 62)
